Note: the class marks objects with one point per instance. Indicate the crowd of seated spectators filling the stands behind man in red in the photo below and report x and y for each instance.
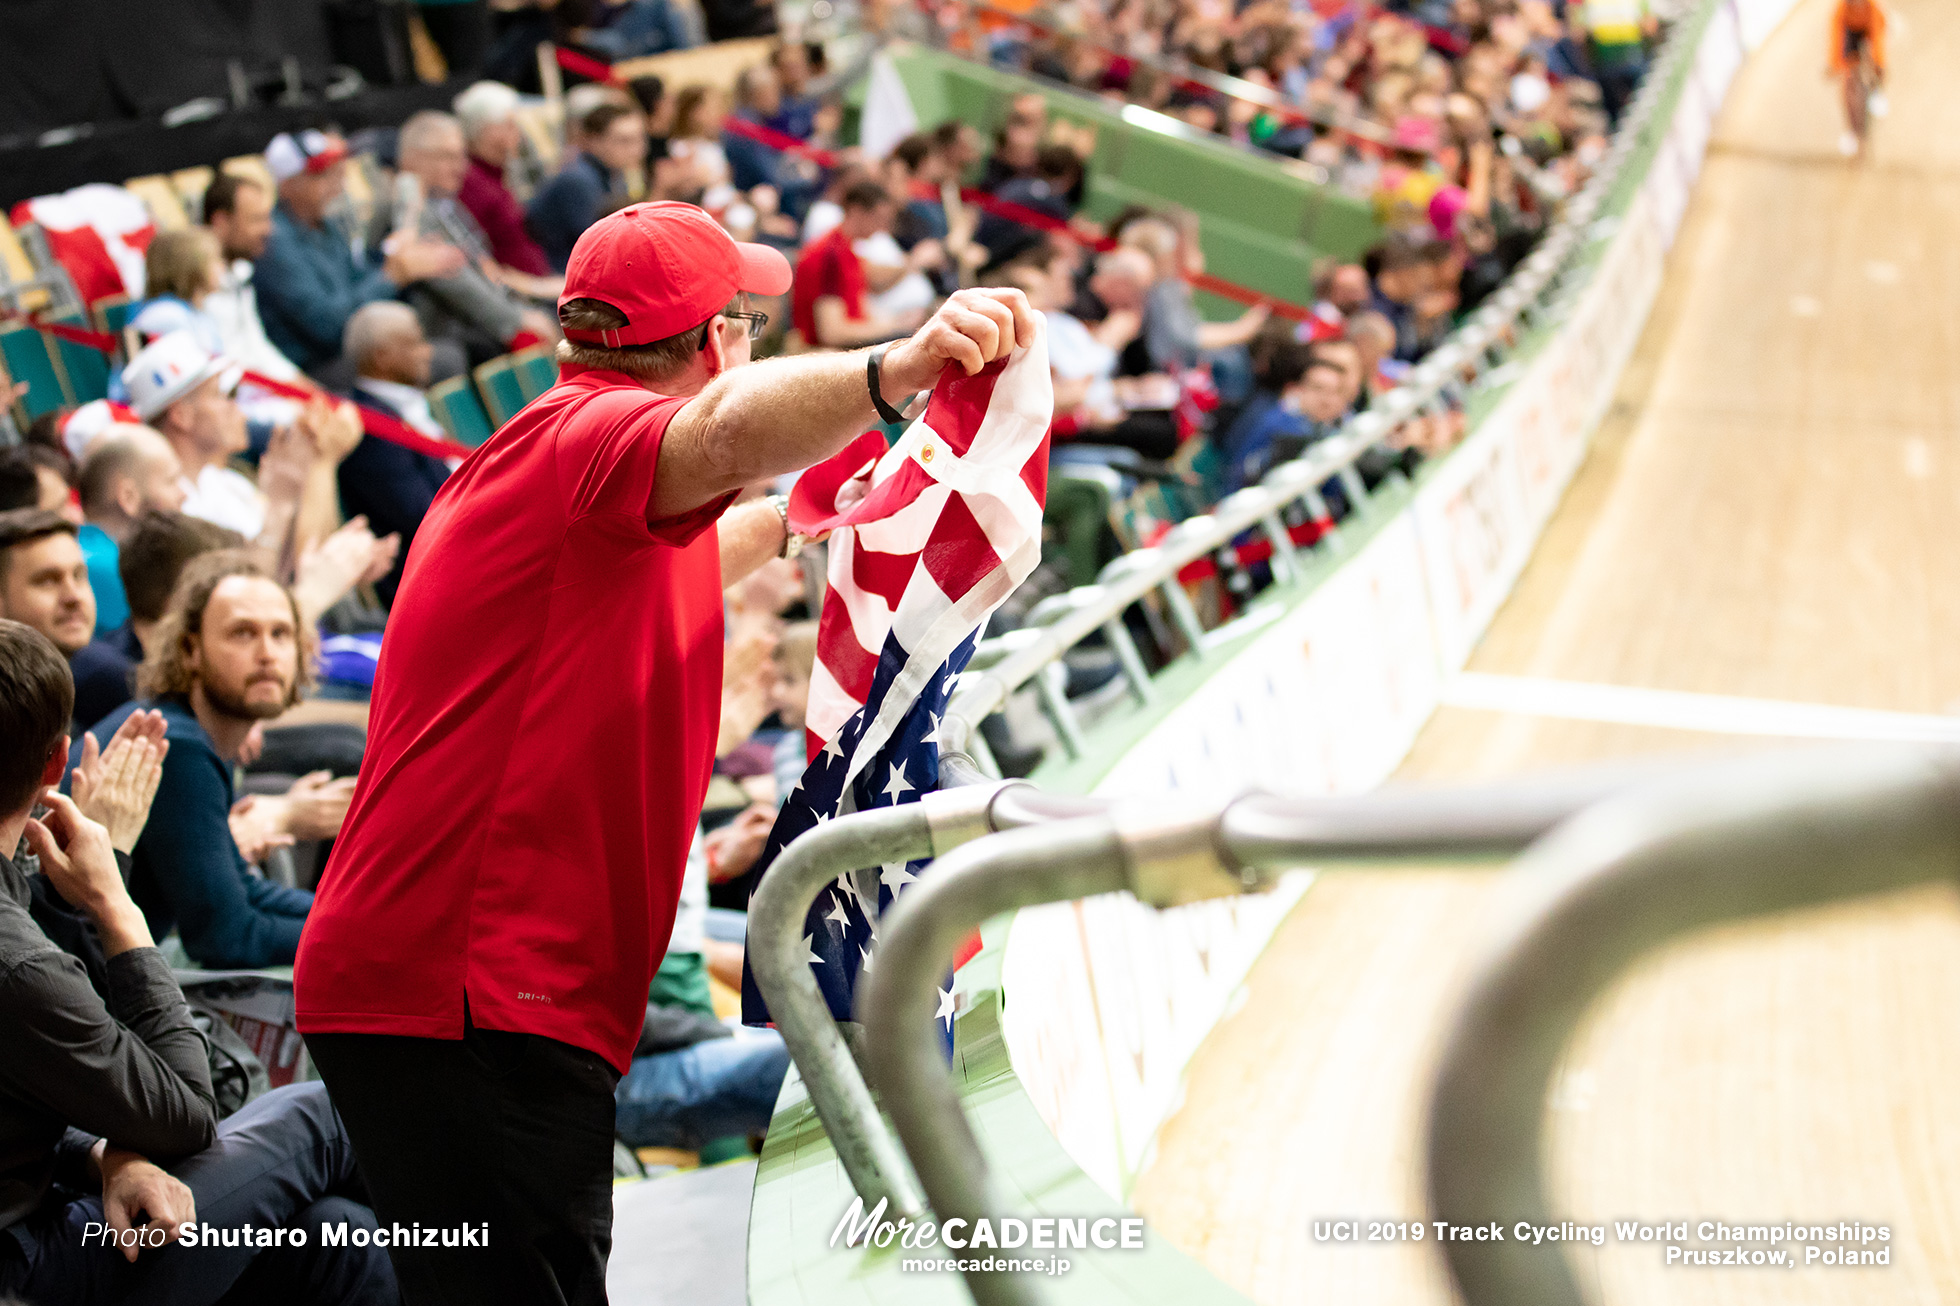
(171, 564)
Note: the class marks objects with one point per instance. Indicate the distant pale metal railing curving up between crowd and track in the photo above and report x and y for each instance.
(1477, 348)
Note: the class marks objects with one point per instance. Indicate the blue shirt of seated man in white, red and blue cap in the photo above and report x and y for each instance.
(311, 283)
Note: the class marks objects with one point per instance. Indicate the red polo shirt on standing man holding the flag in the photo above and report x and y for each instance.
(540, 744)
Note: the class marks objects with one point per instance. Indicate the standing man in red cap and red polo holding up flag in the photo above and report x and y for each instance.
(475, 972)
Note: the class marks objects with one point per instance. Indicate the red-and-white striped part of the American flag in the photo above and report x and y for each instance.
(928, 536)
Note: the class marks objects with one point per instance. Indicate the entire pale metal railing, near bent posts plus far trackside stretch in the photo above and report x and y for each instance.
(987, 862)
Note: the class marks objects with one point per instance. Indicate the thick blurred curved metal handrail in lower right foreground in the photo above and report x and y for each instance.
(1614, 885)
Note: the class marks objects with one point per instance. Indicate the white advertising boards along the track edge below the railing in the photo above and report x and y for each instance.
(1106, 1001)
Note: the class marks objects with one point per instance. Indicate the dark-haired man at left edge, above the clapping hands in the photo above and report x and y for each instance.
(44, 583)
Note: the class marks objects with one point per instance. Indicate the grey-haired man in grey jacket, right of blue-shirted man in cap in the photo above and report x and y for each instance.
(471, 305)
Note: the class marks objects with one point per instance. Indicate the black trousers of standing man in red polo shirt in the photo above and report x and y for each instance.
(503, 1130)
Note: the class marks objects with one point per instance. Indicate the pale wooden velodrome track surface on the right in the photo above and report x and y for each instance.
(1769, 513)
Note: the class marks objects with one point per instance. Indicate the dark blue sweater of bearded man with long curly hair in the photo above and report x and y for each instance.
(189, 874)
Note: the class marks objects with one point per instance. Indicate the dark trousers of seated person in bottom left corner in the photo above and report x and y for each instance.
(279, 1164)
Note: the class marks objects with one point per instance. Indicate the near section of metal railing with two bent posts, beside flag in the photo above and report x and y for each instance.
(1004, 846)
